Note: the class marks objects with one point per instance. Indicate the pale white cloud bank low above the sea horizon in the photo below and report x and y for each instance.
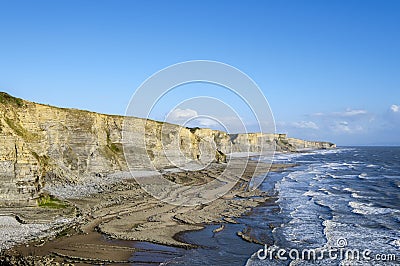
(350, 126)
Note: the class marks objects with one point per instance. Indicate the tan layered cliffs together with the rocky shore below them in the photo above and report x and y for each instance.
(66, 191)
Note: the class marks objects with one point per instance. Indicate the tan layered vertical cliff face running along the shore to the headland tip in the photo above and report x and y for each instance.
(41, 144)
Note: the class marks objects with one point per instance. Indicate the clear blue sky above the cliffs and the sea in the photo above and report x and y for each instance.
(329, 69)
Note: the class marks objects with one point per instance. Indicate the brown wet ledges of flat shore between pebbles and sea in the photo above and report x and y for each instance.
(111, 222)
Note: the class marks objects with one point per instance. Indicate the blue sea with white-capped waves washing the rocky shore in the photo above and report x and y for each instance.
(336, 207)
